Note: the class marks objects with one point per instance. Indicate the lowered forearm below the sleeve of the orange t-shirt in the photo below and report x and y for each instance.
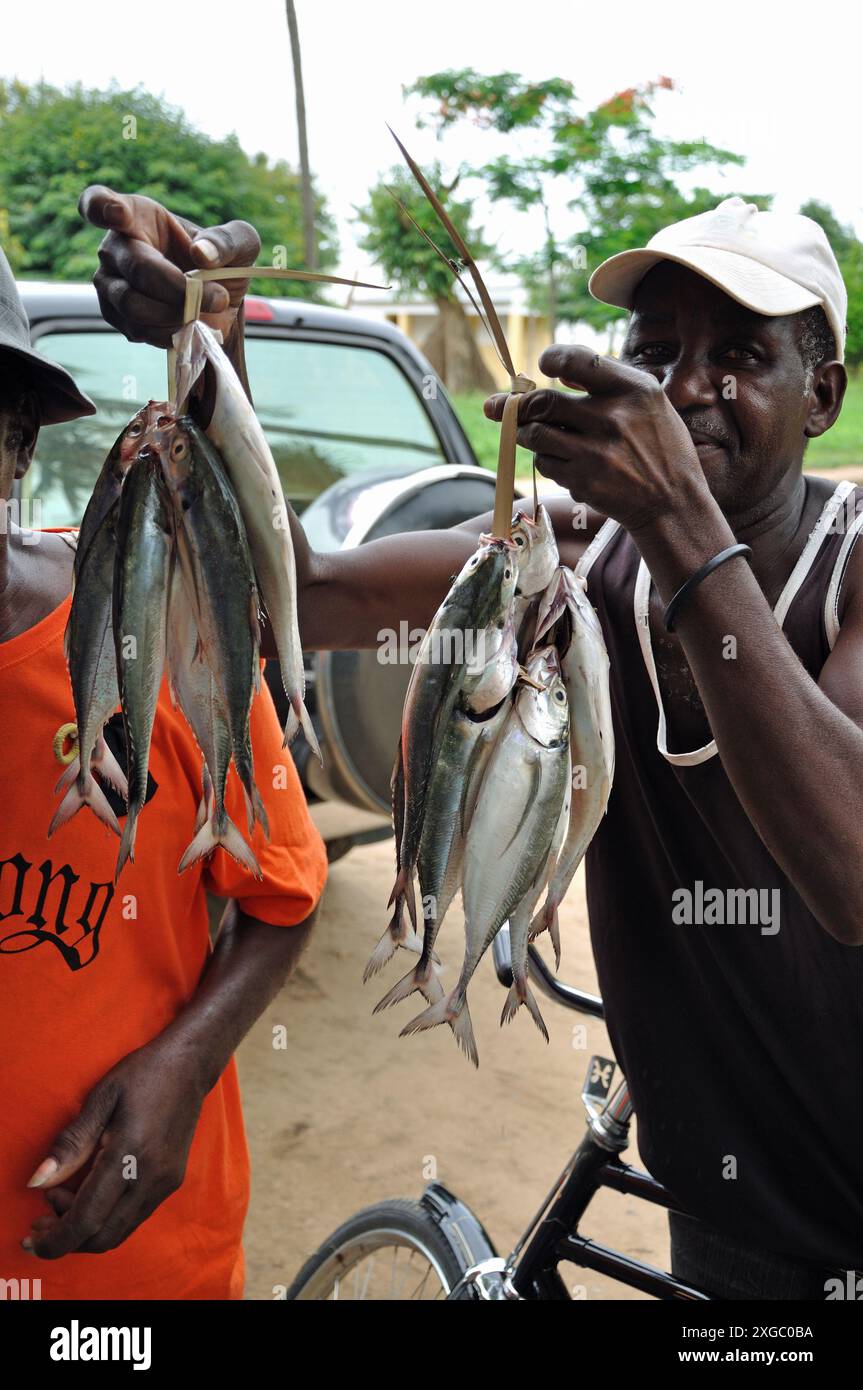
(249, 965)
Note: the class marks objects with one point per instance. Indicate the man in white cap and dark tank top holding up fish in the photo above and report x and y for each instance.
(725, 892)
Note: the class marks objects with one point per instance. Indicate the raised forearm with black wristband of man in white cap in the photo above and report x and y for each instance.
(764, 708)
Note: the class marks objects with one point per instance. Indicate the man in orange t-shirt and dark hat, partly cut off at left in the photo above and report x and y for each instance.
(124, 1171)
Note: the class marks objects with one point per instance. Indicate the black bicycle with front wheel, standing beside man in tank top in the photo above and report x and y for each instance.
(437, 1249)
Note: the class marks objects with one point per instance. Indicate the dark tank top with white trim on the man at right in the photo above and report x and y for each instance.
(743, 1049)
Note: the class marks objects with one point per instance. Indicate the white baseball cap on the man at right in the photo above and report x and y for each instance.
(773, 263)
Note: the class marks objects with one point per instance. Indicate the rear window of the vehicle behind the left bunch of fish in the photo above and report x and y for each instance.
(329, 411)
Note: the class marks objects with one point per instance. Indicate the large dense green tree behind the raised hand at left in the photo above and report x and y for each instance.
(54, 144)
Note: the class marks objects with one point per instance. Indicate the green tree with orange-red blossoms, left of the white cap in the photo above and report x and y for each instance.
(619, 176)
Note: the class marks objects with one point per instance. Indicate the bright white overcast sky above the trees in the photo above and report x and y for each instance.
(753, 77)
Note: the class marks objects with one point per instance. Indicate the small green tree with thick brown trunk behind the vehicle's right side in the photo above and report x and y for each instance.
(412, 265)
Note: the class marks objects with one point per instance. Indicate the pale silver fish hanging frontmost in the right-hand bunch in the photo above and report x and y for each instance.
(512, 829)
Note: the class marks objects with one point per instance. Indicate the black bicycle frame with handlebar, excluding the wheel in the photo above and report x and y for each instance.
(554, 1236)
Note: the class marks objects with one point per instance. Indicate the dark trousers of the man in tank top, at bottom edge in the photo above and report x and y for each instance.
(725, 1268)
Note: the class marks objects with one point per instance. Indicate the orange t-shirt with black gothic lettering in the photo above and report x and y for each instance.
(90, 972)
